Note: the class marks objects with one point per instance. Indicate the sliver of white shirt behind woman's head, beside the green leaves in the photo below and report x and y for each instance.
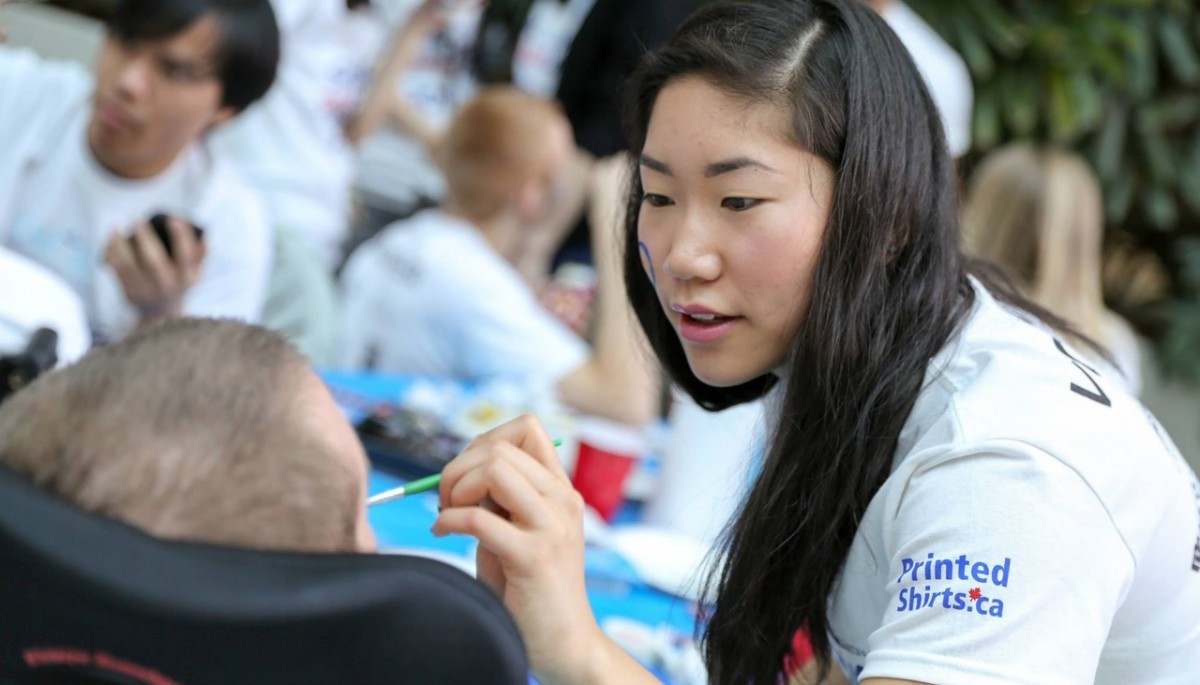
(946, 74)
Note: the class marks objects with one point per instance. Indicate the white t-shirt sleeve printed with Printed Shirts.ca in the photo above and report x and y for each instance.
(1005, 569)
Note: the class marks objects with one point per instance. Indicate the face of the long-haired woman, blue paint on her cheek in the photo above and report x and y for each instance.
(730, 227)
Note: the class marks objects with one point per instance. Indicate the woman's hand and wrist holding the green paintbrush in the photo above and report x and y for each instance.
(509, 491)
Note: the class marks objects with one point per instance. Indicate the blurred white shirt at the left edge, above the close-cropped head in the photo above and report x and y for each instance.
(33, 298)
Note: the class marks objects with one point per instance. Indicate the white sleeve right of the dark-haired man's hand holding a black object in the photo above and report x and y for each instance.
(241, 254)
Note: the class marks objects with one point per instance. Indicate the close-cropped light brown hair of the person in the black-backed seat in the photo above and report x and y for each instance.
(193, 430)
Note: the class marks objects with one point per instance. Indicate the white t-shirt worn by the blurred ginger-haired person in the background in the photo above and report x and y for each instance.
(430, 296)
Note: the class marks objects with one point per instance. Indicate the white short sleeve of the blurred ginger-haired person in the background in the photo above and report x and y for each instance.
(501, 331)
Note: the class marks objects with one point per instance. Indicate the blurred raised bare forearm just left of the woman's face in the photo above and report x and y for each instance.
(620, 380)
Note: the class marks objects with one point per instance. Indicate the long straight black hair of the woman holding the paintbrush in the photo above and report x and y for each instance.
(889, 291)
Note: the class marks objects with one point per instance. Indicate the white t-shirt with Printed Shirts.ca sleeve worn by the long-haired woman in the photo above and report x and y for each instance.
(1037, 528)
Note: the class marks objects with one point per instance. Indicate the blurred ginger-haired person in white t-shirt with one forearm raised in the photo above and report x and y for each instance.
(443, 293)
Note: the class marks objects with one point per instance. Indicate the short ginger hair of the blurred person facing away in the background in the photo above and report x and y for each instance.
(495, 146)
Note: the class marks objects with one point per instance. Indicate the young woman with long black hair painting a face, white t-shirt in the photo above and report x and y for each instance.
(951, 495)
